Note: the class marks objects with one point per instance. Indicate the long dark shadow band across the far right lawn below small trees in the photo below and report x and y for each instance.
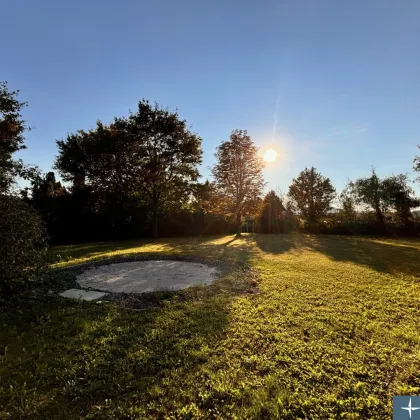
(381, 255)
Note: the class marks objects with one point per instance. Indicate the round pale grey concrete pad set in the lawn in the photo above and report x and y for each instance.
(147, 276)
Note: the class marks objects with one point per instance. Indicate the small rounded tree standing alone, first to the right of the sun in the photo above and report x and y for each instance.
(312, 194)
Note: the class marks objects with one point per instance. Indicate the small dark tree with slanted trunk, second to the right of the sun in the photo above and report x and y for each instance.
(370, 191)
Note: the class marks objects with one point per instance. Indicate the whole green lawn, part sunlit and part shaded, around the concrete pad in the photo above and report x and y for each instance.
(334, 332)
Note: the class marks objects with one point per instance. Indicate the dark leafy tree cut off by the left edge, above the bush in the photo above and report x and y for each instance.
(12, 128)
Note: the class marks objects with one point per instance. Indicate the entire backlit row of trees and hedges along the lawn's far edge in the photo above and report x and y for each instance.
(138, 176)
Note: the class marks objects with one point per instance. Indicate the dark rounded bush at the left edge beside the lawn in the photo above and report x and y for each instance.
(22, 243)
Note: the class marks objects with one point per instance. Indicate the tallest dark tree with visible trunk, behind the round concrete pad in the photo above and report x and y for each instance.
(167, 155)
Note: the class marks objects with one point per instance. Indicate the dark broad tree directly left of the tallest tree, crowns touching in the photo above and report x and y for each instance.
(97, 163)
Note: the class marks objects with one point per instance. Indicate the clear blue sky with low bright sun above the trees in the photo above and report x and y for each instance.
(327, 83)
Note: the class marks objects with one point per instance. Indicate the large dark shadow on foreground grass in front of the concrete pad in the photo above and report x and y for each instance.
(67, 360)
